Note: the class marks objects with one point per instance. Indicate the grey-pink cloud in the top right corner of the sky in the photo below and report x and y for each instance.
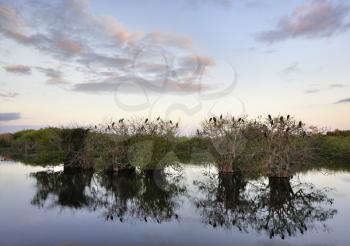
(318, 18)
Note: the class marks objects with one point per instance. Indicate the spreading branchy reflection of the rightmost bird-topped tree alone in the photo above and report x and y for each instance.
(286, 207)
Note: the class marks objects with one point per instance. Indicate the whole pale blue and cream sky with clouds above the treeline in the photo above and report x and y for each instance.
(81, 62)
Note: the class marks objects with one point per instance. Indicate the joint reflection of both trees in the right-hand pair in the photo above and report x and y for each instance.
(277, 206)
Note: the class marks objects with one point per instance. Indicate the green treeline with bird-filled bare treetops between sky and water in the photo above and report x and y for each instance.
(277, 146)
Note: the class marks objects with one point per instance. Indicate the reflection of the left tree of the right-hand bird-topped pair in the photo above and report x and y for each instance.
(225, 202)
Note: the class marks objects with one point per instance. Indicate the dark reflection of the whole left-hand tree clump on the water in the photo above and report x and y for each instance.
(151, 196)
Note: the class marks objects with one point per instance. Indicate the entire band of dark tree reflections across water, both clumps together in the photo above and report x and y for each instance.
(276, 207)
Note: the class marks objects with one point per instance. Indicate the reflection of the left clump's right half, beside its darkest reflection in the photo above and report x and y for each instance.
(152, 196)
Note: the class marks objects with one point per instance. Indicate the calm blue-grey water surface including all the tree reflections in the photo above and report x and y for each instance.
(41, 206)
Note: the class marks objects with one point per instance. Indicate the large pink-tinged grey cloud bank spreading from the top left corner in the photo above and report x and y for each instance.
(97, 45)
